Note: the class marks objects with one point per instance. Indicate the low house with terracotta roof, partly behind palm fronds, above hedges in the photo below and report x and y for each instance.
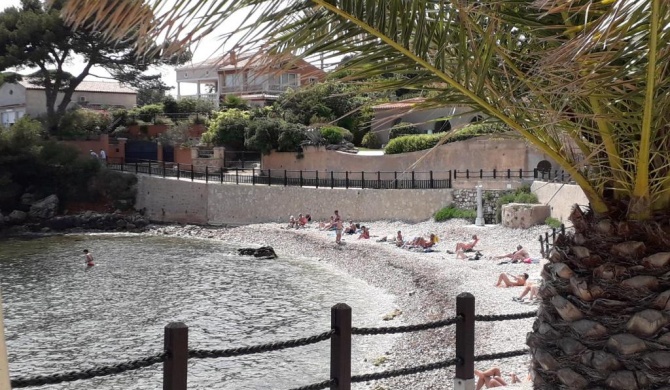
(428, 121)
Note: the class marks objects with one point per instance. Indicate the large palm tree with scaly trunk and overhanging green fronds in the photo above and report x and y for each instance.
(584, 81)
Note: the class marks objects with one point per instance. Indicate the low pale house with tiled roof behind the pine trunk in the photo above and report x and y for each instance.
(24, 98)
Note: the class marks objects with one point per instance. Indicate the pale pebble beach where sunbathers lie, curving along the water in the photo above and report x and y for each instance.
(425, 285)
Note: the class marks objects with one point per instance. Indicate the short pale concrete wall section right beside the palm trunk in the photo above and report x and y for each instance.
(560, 198)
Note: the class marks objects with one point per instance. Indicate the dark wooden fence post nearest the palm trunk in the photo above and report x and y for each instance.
(465, 342)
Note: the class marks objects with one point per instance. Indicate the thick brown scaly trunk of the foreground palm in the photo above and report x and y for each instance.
(605, 311)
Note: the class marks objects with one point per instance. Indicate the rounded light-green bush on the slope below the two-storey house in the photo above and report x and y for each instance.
(227, 129)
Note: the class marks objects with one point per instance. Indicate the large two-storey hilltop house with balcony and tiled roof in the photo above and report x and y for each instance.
(254, 77)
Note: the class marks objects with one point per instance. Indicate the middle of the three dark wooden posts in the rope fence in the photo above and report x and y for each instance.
(340, 347)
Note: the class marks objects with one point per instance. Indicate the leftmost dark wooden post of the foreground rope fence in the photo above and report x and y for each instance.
(176, 365)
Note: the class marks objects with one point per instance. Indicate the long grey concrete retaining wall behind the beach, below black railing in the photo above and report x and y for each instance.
(186, 202)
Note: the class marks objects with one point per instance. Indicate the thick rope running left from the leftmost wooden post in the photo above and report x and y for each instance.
(88, 374)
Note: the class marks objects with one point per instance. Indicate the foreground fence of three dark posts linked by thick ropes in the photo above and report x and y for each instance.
(176, 352)
